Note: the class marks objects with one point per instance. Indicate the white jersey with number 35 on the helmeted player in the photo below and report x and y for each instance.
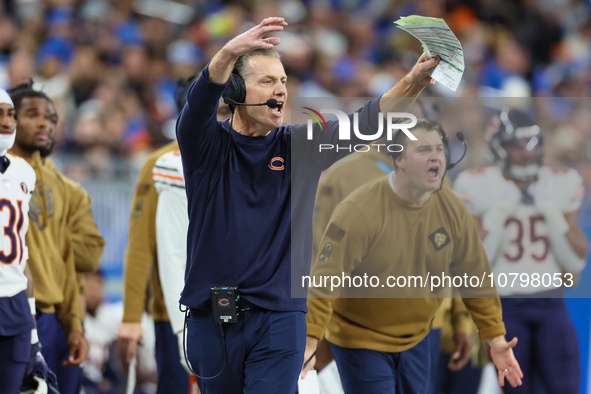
(525, 246)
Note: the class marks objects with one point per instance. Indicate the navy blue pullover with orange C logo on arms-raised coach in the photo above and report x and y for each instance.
(246, 238)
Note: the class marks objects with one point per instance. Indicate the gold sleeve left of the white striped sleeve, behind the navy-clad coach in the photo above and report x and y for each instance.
(141, 261)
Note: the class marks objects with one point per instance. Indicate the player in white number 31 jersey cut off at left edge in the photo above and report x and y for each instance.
(19, 341)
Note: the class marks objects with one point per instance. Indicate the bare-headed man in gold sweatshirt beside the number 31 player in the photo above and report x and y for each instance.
(63, 239)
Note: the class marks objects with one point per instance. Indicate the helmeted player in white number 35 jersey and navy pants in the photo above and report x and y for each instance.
(527, 215)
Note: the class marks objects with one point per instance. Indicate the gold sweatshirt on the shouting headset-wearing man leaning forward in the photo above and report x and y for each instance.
(373, 232)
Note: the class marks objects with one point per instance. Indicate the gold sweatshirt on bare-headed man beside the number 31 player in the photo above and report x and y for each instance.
(61, 230)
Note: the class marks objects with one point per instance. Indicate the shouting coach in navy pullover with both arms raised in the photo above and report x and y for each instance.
(245, 333)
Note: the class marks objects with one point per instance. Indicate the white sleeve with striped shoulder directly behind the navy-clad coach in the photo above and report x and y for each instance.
(172, 224)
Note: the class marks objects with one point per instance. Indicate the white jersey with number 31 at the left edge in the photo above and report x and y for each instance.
(16, 185)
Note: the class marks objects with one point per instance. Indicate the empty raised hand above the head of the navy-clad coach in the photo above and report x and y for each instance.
(253, 38)
